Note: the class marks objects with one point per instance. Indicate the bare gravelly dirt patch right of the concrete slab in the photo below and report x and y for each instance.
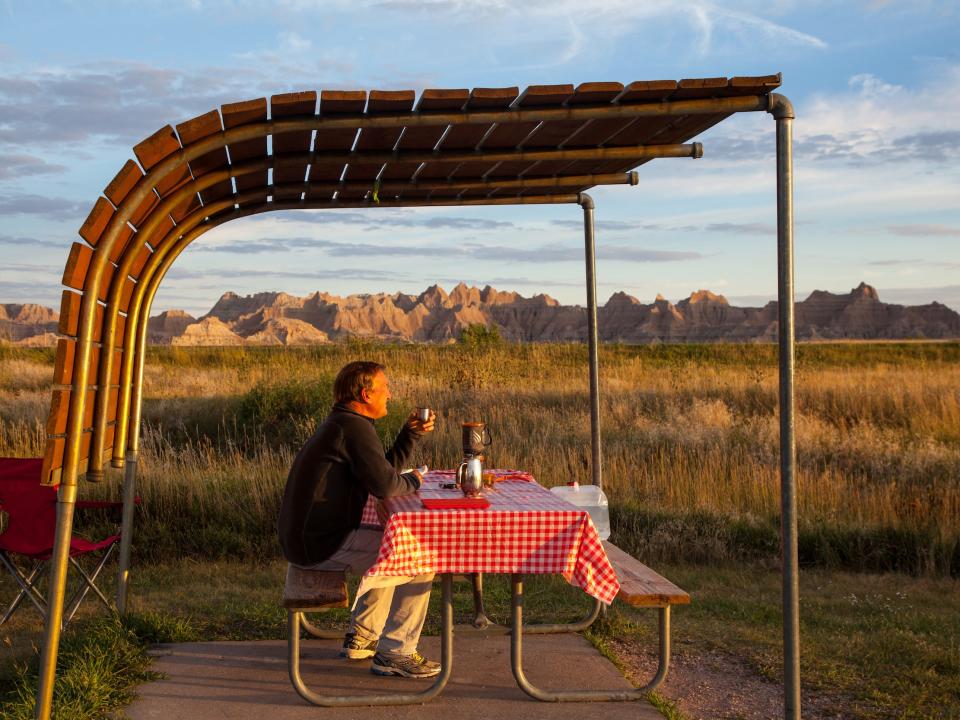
(712, 685)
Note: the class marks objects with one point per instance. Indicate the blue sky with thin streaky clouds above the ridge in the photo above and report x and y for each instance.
(876, 86)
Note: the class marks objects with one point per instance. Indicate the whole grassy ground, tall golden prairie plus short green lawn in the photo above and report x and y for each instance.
(690, 465)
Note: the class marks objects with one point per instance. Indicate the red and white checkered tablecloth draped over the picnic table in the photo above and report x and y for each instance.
(527, 529)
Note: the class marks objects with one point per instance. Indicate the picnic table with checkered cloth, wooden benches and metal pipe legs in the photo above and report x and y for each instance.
(525, 529)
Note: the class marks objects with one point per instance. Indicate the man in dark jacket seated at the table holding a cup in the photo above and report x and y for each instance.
(327, 488)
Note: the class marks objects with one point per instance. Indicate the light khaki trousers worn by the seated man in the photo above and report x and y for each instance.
(391, 616)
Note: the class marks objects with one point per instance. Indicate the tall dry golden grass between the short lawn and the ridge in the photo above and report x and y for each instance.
(691, 451)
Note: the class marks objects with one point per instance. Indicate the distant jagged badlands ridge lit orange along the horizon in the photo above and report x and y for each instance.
(277, 318)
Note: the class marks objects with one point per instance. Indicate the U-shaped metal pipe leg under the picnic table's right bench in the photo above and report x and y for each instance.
(516, 660)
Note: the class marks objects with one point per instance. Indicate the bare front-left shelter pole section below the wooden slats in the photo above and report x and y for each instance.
(59, 564)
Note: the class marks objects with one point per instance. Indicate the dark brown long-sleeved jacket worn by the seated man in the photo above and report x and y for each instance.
(330, 480)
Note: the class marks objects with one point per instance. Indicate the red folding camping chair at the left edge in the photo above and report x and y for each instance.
(30, 513)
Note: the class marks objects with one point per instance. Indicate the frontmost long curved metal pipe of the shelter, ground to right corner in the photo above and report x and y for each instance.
(145, 186)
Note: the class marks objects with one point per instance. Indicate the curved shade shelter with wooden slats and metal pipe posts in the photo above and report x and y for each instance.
(351, 149)
